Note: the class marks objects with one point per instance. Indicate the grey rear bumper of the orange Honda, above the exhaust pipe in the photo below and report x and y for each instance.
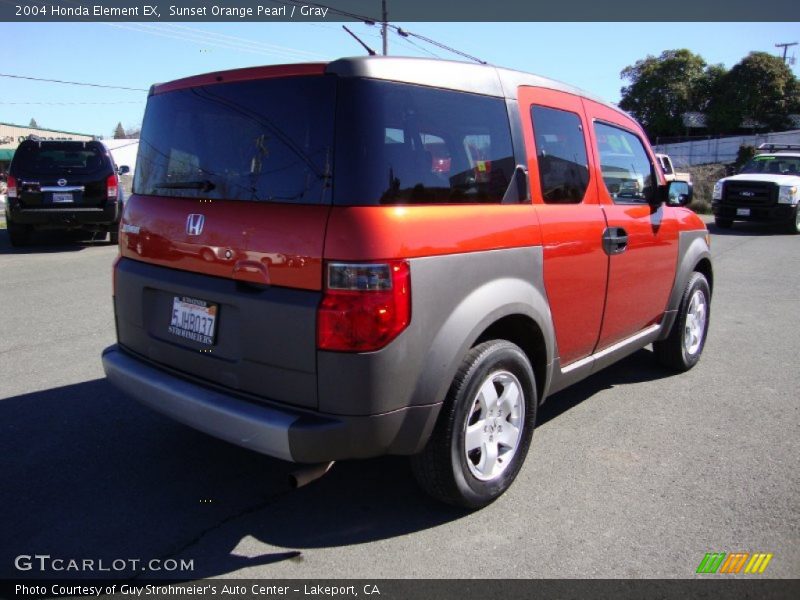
(272, 429)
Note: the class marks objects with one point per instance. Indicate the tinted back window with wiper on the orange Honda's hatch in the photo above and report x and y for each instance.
(265, 140)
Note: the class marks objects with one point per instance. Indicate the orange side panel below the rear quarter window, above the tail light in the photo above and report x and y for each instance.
(380, 232)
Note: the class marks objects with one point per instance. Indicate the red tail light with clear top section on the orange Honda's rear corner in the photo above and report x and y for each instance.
(365, 306)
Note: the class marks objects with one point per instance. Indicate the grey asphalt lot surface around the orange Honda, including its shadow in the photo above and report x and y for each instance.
(635, 472)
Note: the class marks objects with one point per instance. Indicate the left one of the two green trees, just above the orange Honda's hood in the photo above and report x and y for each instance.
(662, 88)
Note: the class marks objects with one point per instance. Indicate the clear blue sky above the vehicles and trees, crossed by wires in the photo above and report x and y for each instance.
(588, 55)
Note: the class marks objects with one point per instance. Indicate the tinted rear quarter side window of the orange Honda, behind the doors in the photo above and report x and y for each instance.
(405, 144)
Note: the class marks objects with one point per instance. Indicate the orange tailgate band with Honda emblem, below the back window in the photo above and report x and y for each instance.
(256, 242)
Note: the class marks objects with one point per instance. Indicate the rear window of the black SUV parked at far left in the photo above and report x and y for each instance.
(55, 158)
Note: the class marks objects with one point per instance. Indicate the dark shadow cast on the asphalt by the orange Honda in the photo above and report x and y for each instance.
(88, 474)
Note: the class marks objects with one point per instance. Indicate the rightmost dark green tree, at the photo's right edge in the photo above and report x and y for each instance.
(760, 88)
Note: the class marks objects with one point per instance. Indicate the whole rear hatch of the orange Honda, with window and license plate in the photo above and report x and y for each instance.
(222, 239)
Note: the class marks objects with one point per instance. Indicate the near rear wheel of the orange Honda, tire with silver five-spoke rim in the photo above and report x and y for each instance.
(474, 470)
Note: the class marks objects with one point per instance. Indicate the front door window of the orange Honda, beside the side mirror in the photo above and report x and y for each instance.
(627, 171)
